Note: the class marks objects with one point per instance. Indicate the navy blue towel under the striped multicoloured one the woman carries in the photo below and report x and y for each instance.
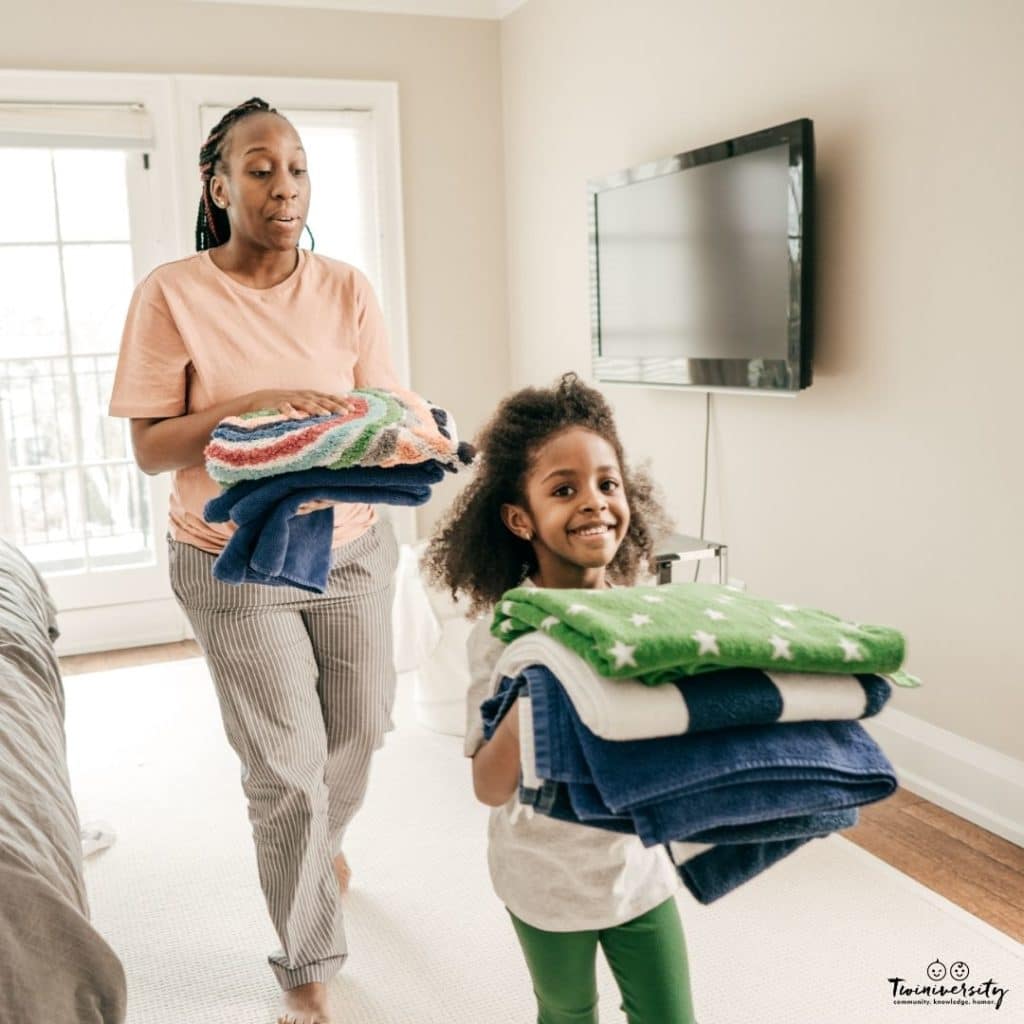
(276, 546)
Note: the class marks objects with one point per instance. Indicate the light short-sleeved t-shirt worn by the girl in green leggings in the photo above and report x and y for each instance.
(554, 875)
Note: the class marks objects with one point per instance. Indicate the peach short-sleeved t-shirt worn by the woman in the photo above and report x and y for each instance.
(195, 337)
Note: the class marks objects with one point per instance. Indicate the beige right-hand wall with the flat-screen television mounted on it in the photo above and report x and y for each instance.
(892, 491)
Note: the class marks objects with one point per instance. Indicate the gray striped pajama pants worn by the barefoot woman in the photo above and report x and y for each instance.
(307, 687)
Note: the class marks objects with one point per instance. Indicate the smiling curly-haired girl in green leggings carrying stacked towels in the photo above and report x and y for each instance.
(556, 505)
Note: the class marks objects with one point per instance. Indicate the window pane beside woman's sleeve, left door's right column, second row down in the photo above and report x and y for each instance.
(99, 286)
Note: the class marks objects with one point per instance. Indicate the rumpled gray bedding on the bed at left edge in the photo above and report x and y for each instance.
(55, 967)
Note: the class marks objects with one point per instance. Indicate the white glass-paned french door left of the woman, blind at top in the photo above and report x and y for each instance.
(88, 185)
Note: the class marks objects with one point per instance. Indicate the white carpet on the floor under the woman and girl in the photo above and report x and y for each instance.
(813, 942)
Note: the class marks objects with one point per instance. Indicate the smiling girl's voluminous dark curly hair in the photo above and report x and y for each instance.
(472, 550)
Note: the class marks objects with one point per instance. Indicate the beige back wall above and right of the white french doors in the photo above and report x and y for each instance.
(450, 109)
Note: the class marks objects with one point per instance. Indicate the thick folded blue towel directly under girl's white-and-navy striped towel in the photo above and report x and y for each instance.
(679, 787)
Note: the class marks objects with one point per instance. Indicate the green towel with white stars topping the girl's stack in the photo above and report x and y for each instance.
(656, 634)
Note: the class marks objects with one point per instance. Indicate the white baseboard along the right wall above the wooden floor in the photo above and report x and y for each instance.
(978, 784)
